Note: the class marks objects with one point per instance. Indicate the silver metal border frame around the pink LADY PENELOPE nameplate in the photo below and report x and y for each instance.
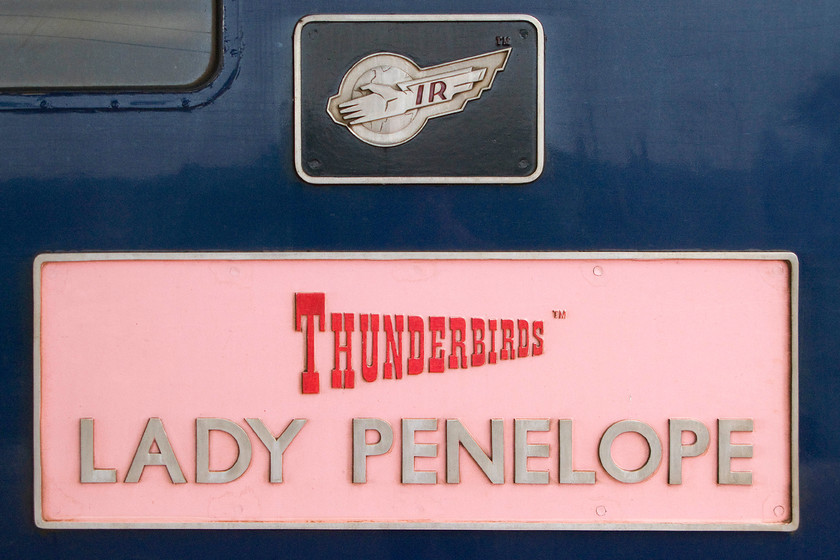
(790, 258)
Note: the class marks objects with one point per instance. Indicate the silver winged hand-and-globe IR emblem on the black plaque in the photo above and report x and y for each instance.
(385, 99)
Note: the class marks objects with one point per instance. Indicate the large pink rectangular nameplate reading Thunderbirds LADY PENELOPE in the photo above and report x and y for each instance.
(430, 390)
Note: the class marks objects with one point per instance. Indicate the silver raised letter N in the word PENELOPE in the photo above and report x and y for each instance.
(457, 435)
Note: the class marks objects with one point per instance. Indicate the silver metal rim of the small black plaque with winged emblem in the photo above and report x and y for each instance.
(420, 18)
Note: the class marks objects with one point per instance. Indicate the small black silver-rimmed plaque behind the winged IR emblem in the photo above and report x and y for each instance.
(495, 138)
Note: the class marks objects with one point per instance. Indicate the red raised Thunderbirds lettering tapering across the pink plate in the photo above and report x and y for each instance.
(453, 343)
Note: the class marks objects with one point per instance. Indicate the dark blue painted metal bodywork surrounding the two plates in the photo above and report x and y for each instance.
(669, 126)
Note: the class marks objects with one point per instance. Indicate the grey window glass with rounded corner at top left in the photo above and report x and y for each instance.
(105, 43)
